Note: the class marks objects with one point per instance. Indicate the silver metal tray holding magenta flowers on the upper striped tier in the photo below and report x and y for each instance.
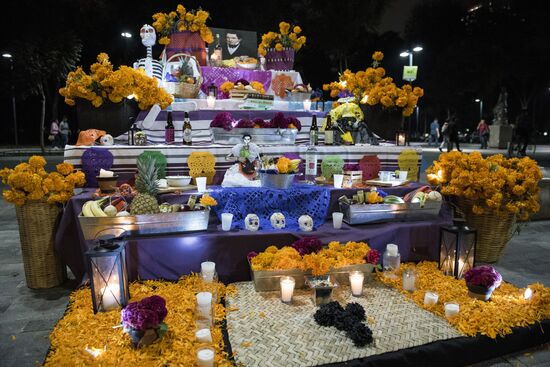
(259, 136)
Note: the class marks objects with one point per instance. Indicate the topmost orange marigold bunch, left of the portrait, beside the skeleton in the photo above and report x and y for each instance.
(182, 20)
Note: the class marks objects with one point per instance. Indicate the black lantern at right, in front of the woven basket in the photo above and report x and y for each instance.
(457, 248)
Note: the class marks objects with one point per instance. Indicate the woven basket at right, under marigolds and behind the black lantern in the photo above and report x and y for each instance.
(493, 231)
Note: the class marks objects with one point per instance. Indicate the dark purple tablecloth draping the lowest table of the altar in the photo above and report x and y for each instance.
(171, 256)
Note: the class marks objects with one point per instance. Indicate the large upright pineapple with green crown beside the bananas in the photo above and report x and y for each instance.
(145, 202)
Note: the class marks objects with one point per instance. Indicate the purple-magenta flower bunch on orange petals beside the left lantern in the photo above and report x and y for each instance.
(148, 313)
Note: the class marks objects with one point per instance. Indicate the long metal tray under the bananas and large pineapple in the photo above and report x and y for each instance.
(145, 224)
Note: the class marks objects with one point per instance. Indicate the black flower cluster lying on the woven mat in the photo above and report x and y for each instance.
(349, 319)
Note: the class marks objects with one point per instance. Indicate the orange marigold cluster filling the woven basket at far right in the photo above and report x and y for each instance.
(493, 183)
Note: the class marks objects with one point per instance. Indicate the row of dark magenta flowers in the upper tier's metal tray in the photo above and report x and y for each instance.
(227, 122)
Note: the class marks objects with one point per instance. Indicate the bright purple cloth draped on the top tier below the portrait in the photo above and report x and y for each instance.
(217, 76)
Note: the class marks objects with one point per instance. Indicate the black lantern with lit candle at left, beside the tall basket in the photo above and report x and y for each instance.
(107, 271)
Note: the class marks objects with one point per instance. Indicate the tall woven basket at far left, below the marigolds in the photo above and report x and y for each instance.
(37, 224)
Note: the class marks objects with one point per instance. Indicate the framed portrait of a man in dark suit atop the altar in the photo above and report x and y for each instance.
(235, 43)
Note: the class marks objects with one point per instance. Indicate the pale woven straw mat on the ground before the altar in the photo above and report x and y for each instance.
(265, 332)
